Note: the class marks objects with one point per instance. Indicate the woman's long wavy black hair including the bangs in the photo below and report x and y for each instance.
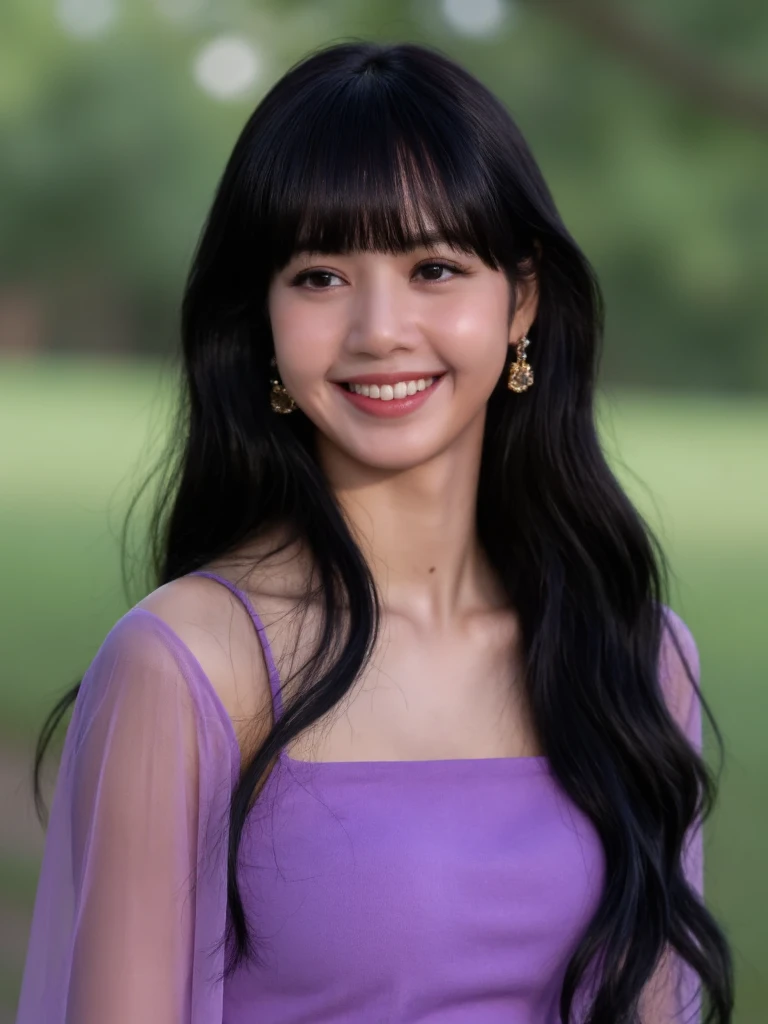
(328, 162)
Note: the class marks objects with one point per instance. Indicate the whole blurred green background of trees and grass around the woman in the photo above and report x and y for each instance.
(651, 124)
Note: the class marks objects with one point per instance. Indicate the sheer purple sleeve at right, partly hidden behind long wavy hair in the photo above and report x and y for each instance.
(673, 996)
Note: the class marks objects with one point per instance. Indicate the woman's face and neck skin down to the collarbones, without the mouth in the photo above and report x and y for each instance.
(409, 485)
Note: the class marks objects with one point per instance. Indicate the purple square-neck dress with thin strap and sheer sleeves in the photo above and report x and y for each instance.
(397, 892)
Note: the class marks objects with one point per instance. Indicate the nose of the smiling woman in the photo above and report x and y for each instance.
(381, 319)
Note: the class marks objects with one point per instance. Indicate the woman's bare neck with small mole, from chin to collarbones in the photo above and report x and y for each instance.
(417, 528)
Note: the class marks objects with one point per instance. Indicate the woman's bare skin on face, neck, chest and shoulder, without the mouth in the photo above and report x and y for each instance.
(445, 680)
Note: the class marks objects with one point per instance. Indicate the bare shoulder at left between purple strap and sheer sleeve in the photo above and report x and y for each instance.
(218, 629)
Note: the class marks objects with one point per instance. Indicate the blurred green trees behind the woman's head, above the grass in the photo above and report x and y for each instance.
(111, 149)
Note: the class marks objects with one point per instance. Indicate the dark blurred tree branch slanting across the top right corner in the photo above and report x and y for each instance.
(668, 62)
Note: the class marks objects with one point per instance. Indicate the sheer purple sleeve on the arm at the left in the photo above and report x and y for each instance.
(131, 911)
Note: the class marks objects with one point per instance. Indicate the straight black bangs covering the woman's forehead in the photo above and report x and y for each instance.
(363, 164)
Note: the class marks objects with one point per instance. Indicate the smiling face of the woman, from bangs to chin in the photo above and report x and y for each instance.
(389, 324)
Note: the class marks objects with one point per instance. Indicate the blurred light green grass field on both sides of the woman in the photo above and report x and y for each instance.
(75, 435)
